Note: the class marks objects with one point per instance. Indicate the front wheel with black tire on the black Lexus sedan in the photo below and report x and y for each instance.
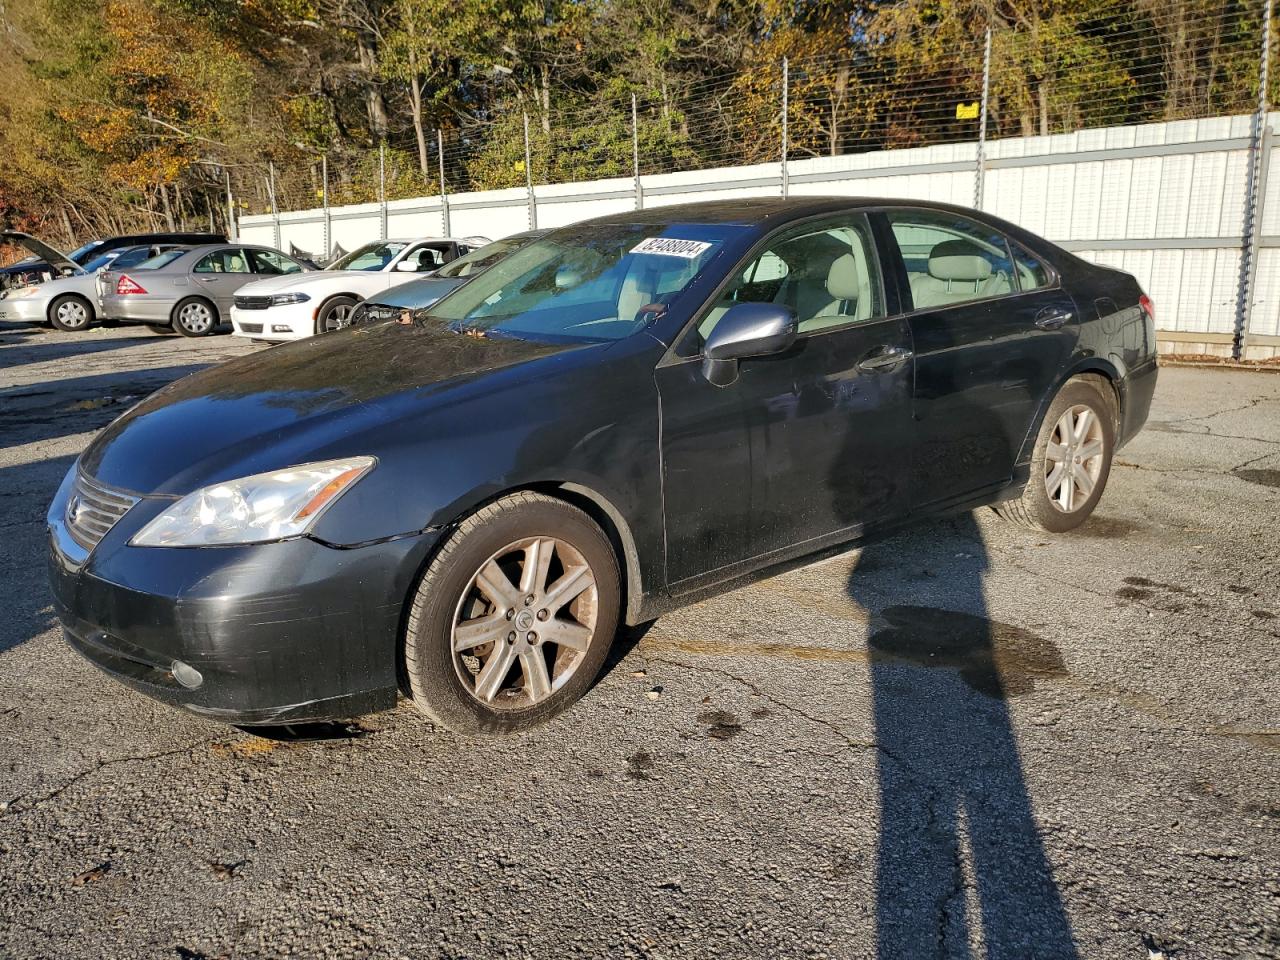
(451, 687)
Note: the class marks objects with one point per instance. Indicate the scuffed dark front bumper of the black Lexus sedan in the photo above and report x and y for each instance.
(280, 633)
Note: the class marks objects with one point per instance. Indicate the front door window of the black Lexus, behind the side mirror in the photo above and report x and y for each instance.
(828, 275)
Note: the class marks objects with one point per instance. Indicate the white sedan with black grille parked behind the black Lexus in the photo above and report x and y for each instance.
(295, 307)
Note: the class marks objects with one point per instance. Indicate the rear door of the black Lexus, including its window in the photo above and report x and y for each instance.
(993, 331)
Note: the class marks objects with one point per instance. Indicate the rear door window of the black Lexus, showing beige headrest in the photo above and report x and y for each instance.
(952, 260)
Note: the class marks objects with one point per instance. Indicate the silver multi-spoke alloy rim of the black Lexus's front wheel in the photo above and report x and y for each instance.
(525, 623)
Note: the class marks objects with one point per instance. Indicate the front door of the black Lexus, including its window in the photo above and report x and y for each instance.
(808, 446)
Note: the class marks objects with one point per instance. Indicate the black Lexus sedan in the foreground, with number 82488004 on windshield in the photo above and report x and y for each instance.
(618, 419)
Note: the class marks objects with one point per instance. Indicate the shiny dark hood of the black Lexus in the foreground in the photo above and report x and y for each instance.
(301, 403)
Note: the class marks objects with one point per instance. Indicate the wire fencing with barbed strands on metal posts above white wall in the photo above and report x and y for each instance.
(1137, 62)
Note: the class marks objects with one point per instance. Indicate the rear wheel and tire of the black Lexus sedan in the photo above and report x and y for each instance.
(1080, 488)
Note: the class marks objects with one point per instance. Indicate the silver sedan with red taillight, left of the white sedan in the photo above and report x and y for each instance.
(189, 291)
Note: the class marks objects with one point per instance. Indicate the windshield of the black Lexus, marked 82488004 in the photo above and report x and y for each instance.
(597, 282)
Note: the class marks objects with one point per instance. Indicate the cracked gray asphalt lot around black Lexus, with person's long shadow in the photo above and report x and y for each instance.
(964, 740)
